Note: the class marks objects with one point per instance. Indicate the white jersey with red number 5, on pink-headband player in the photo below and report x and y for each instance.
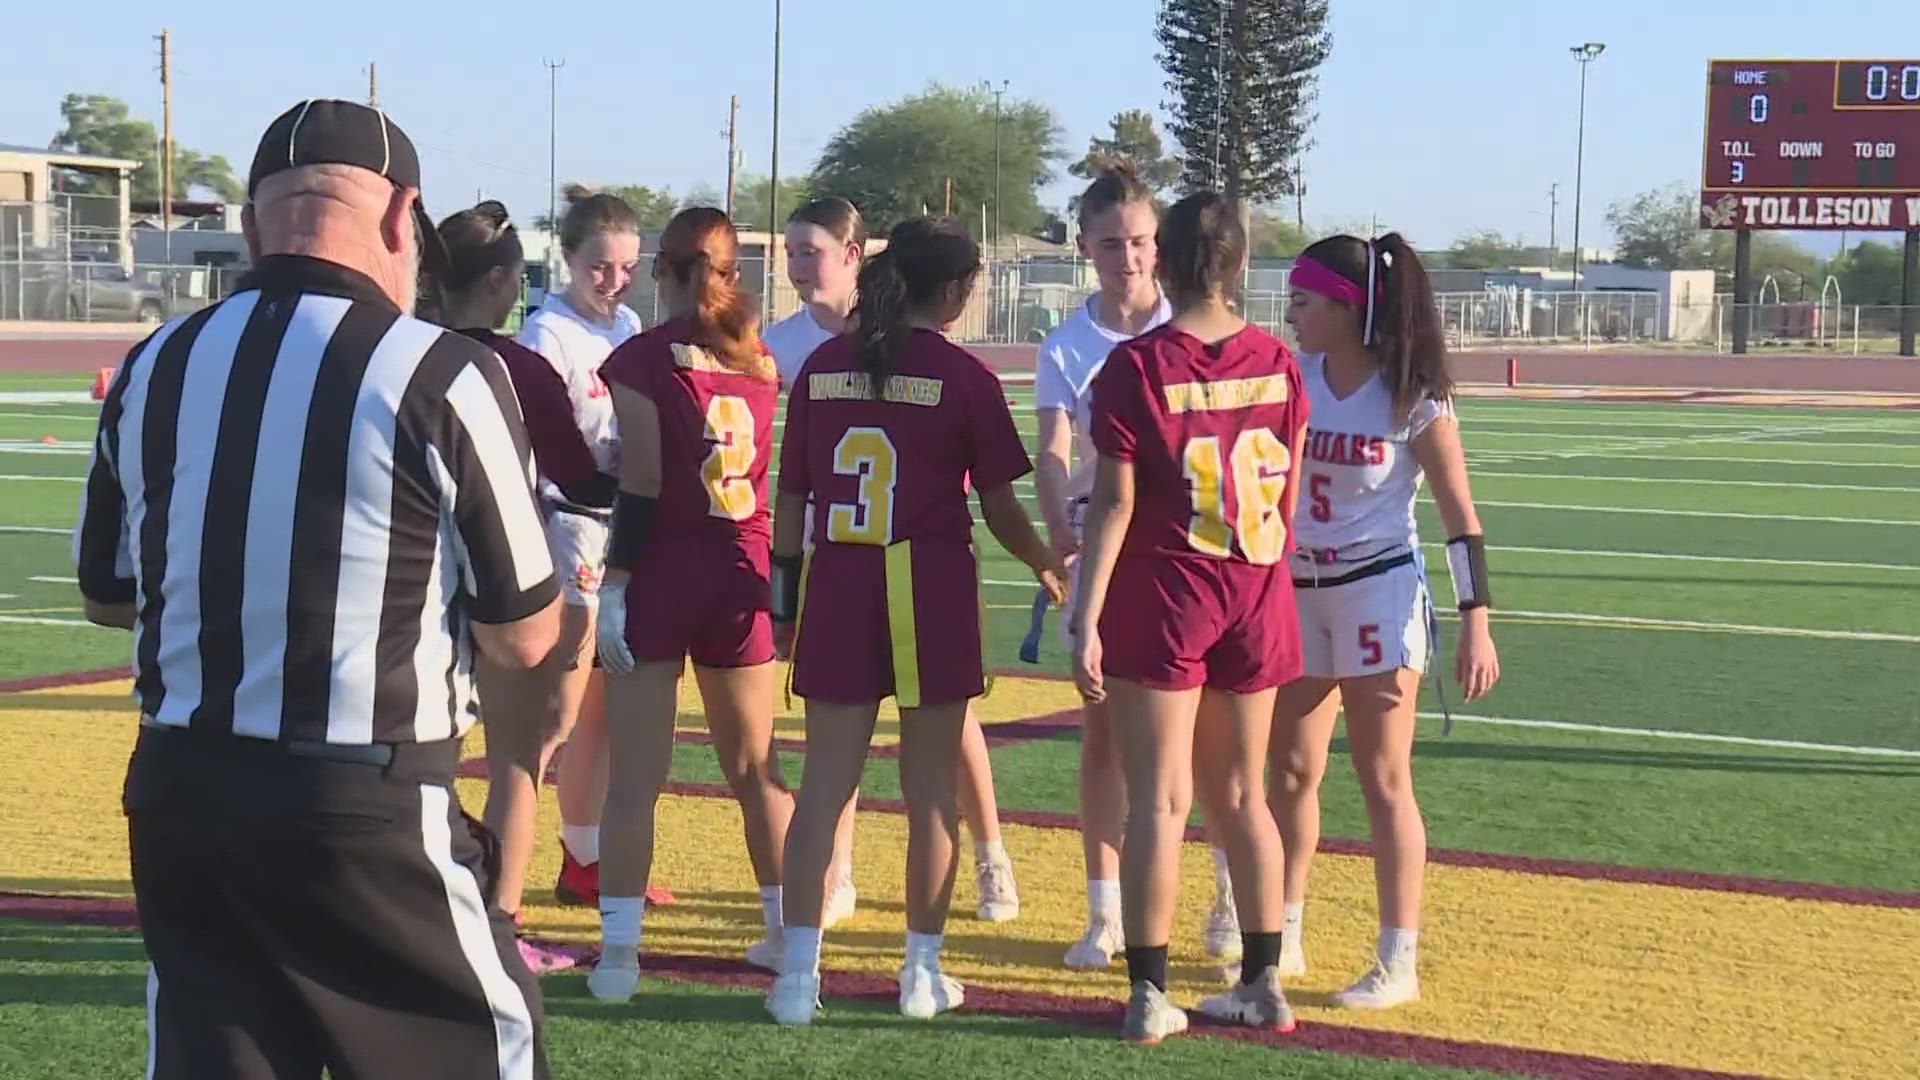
(1360, 476)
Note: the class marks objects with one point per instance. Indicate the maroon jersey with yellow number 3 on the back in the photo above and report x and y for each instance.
(892, 470)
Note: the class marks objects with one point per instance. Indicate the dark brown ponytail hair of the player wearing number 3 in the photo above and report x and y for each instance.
(924, 262)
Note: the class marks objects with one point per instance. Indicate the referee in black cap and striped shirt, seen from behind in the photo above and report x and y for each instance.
(312, 508)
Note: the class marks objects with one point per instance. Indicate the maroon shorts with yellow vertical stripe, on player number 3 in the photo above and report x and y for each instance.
(898, 622)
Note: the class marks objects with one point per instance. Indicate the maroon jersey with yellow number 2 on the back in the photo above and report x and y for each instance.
(717, 433)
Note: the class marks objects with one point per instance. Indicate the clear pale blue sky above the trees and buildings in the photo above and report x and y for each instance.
(1435, 116)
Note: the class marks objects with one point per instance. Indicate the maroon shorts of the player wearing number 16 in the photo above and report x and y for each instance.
(1174, 624)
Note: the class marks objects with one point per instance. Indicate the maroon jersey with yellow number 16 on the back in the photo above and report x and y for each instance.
(1211, 433)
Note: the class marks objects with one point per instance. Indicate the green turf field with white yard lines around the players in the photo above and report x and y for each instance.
(1708, 618)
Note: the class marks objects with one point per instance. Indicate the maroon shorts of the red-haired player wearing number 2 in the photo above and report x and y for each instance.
(702, 599)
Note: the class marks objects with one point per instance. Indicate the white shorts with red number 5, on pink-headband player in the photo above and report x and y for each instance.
(1364, 627)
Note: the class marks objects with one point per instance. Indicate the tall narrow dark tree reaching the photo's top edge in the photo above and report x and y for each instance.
(1243, 80)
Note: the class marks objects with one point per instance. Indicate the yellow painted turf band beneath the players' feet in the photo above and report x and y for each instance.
(1621, 971)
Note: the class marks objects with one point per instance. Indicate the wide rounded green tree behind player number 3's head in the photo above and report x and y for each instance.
(896, 160)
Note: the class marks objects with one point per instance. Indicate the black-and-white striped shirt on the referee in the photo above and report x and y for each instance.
(308, 497)
